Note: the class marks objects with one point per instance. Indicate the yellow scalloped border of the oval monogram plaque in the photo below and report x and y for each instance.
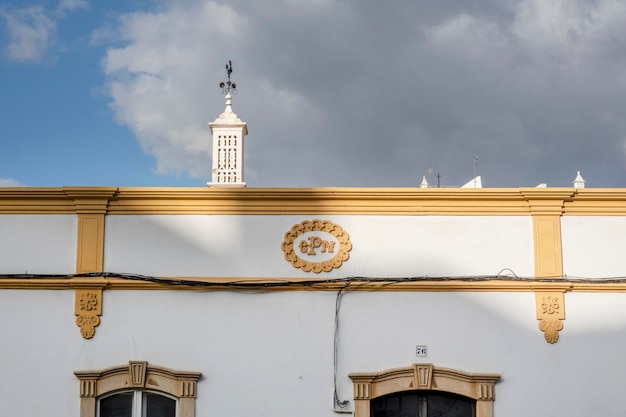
(323, 226)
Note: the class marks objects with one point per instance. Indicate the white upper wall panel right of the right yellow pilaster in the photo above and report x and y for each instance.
(593, 246)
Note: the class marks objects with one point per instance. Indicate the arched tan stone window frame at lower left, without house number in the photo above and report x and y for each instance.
(138, 375)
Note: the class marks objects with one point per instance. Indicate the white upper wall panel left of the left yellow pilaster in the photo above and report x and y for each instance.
(38, 244)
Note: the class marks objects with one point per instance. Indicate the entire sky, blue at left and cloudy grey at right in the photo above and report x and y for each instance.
(334, 92)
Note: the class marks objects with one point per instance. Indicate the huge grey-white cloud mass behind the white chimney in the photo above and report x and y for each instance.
(353, 93)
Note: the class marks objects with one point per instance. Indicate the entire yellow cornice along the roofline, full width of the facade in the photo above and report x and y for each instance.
(304, 201)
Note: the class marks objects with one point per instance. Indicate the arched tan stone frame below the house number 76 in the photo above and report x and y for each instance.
(423, 376)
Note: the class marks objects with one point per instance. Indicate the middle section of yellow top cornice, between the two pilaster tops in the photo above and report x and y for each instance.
(382, 201)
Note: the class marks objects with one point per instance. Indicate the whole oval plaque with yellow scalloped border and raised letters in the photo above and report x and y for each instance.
(316, 246)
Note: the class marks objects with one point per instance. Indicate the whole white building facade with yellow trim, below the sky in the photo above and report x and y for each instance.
(312, 302)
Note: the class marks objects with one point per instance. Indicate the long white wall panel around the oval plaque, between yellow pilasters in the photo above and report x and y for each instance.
(382, 246)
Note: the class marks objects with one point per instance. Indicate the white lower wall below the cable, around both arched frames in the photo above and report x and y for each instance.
(269, 354)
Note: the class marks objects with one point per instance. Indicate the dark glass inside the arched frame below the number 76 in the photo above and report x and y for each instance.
(423, 404)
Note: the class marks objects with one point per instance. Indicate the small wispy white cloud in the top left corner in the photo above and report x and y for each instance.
(30, 30)
